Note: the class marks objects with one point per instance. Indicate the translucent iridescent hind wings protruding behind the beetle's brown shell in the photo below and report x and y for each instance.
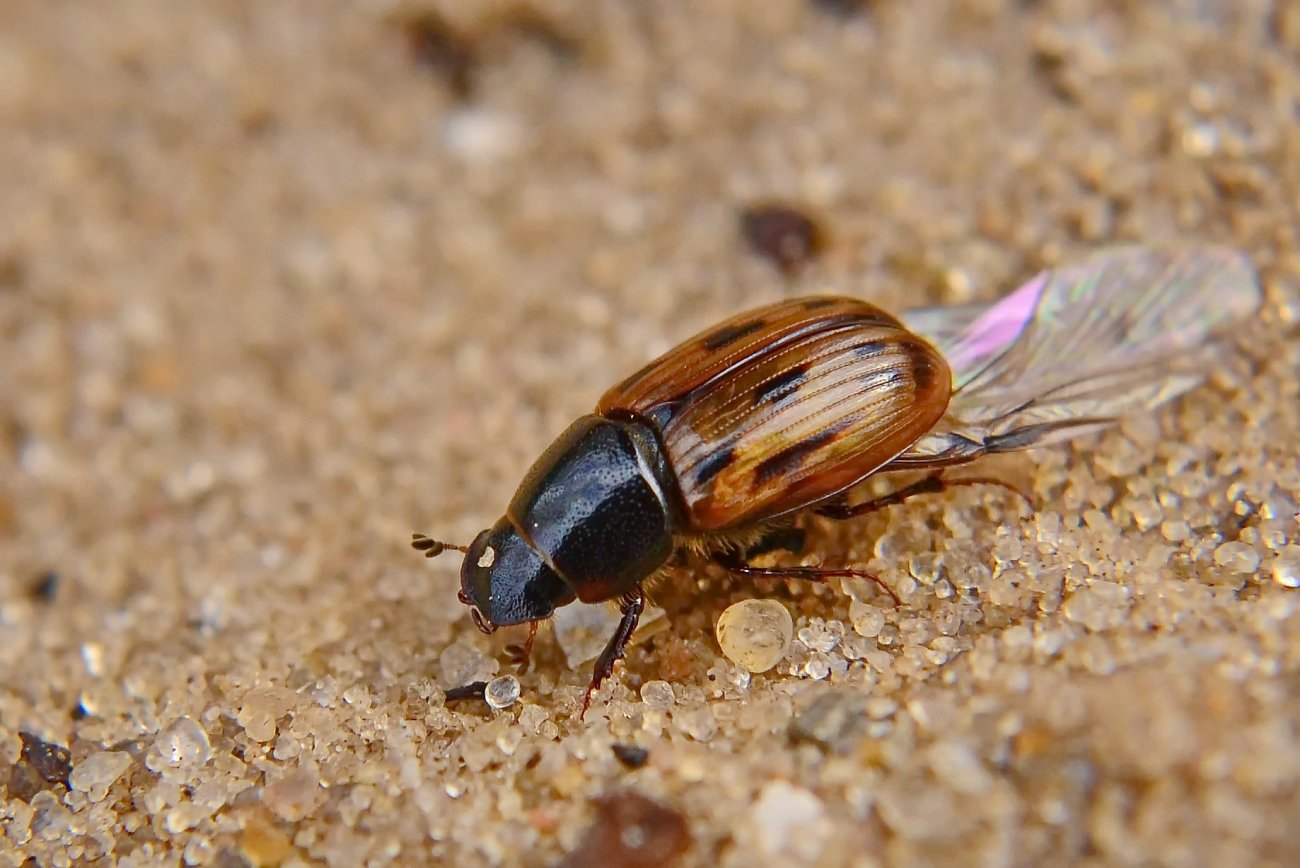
(1078, 348)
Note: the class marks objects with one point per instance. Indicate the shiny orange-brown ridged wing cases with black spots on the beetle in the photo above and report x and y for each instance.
(782, 407)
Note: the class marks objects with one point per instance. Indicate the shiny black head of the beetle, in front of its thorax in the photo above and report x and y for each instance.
(505, 581)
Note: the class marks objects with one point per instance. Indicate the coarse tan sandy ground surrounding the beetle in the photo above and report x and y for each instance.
(283, 283)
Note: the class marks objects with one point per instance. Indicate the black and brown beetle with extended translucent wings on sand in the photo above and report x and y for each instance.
(787, 409)
